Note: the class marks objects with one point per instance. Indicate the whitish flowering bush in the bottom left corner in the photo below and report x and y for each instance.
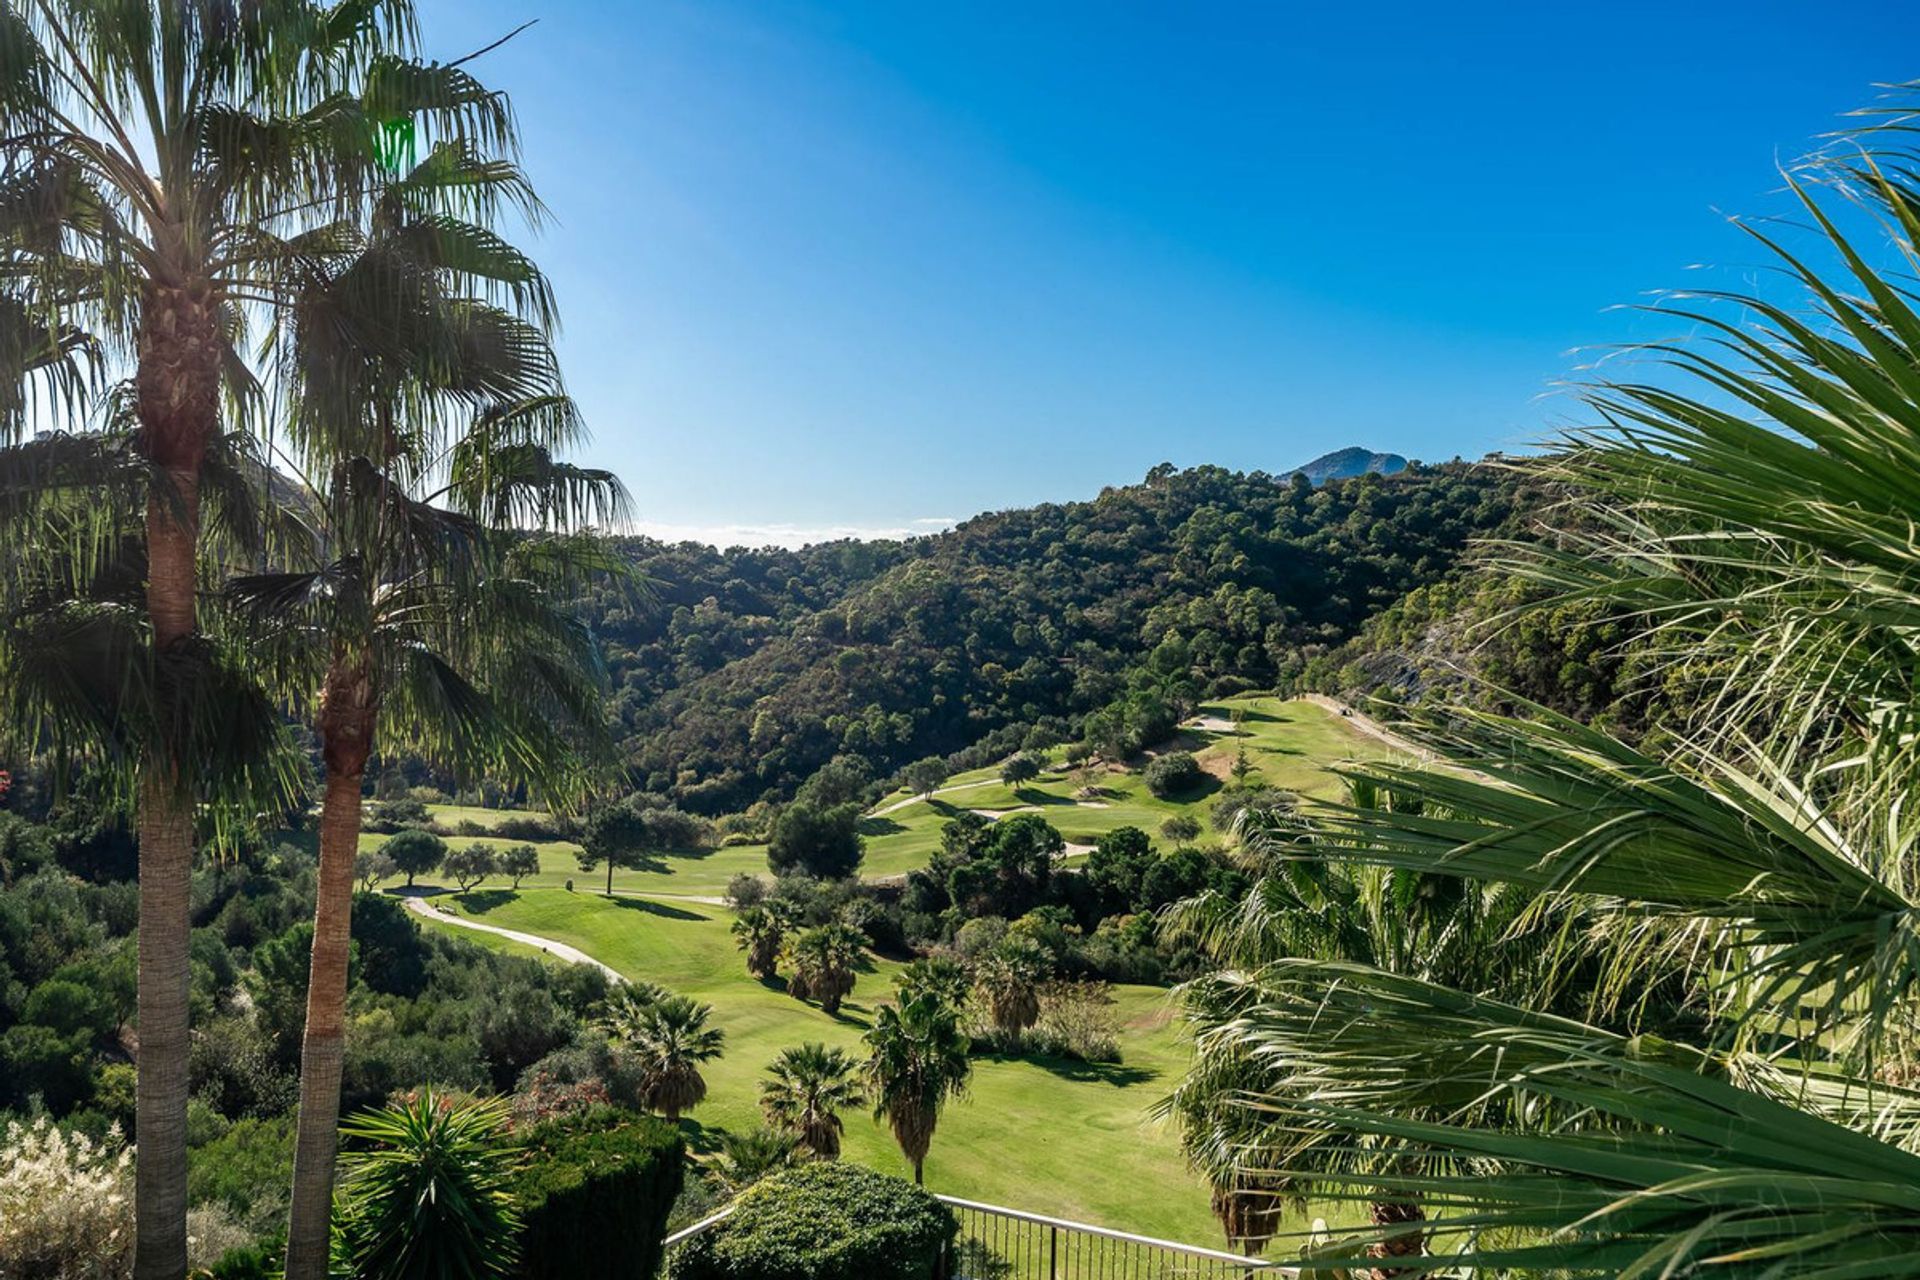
(66, 1206)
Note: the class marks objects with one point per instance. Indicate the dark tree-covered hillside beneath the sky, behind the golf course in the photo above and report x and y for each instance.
(748, 671)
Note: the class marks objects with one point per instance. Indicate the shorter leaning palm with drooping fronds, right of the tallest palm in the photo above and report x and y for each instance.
(427, 617)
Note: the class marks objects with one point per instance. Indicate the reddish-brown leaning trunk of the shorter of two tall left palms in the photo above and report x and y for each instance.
(347, 740)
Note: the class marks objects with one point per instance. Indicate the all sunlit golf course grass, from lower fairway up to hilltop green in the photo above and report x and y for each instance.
(1055, 1137)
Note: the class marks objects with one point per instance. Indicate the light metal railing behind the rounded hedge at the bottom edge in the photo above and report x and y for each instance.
(1011, 1244)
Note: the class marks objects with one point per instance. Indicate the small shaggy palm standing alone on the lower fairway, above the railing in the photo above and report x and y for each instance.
(917, 1062)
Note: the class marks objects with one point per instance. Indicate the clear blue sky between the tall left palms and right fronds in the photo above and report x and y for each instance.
(886, 264)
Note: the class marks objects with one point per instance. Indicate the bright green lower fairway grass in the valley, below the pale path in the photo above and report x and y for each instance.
(1051, 1137)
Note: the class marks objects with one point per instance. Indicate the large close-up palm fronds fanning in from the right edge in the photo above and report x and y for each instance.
(1760, 855)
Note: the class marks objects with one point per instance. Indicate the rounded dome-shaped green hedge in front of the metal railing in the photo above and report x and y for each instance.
(825, 1221)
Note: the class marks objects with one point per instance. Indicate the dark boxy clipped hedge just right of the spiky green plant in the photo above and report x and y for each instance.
(594, 1195)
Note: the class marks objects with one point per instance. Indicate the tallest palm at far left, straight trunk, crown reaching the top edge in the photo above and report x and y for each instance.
(166, 164)
